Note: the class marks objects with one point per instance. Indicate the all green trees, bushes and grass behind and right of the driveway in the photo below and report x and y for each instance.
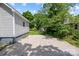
(55, 19)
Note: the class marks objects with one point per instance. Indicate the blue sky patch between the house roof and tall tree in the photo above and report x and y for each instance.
(32, 7)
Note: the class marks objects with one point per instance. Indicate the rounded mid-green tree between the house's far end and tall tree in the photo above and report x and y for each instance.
(40, 20)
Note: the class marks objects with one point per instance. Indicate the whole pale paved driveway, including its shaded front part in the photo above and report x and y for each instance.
(40, 45)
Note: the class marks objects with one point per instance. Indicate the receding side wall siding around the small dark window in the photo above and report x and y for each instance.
(19, 29)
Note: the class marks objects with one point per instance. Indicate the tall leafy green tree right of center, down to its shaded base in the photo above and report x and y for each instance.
(57, 13)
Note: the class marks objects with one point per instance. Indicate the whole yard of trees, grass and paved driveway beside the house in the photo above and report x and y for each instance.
(54, 31)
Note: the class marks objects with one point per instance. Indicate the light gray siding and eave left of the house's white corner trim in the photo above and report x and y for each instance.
(6, 21)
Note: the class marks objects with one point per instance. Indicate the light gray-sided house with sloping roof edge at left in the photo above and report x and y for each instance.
(12, 24)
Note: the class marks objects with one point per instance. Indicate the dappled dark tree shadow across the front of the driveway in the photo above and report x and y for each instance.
(18, 49)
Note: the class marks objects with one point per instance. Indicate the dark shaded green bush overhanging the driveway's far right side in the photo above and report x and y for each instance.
(59, 30)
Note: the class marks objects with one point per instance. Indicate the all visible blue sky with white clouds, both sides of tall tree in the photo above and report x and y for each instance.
(35, 7)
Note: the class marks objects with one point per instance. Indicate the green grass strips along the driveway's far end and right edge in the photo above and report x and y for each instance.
(68, 39)
